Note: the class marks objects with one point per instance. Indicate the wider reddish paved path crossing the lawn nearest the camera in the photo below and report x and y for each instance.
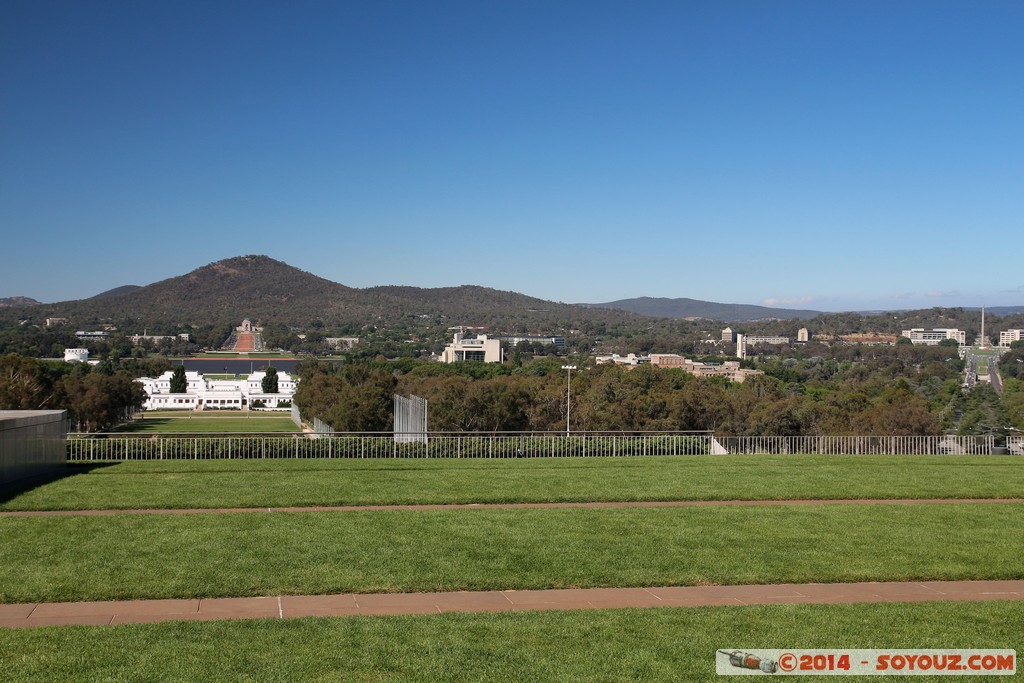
(35, 615)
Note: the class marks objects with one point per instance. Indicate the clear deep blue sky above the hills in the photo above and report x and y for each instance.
(824, 155)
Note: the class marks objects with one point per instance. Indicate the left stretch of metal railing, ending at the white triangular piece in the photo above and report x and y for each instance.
(440, 445)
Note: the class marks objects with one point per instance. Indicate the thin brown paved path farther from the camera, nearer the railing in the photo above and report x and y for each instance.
(511, 506)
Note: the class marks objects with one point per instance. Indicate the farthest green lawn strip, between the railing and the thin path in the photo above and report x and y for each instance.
(186, 484)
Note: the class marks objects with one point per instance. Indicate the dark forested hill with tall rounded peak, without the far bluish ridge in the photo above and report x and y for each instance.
(263, 289)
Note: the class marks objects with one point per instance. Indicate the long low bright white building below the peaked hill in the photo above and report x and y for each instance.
(202, 394)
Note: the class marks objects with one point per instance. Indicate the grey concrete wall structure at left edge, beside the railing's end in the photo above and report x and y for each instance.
(32, 443)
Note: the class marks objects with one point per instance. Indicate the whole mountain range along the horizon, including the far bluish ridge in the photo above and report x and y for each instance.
(264, 289)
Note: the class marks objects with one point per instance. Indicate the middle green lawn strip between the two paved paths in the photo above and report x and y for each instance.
(249, 554)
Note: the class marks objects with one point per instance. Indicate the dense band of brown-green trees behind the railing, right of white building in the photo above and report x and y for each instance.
(903, 391)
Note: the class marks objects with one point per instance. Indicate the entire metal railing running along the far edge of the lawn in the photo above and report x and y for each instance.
(503, 445)
